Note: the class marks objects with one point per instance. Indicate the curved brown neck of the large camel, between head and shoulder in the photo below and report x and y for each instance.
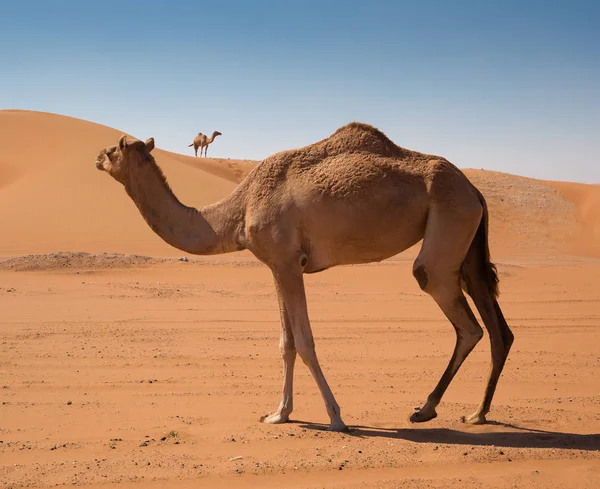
(214, 229)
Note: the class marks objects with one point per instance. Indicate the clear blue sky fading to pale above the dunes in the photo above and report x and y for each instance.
(506, 85)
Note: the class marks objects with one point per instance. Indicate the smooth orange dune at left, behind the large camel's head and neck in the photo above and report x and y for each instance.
(54, 199)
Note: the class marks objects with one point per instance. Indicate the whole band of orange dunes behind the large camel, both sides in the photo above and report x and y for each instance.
(53, 198)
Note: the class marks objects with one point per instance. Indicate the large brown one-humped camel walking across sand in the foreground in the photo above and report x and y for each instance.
(352, 198)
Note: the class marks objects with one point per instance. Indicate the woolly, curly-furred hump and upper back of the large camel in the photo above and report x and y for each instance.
(357, 159)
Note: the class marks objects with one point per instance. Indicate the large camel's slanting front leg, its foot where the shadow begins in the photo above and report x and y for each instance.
(290, 283)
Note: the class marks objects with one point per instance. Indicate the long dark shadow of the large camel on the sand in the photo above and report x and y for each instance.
(524, 438)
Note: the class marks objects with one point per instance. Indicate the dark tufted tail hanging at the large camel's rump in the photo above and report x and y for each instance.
(477, 262)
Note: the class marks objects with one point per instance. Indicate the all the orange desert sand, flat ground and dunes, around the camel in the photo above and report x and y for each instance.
(122, 365)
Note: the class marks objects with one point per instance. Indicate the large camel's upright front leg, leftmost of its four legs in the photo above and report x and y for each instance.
(288, 354)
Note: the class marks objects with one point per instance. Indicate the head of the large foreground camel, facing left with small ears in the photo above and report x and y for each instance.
(118, 160)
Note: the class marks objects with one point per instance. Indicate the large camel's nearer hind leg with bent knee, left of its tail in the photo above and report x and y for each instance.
(448, 235)
